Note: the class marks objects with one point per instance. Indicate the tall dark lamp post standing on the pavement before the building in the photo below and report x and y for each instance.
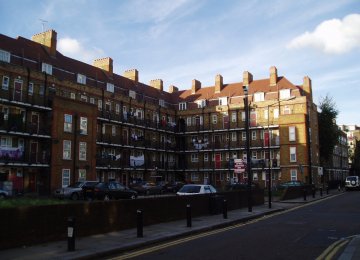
(248, 158)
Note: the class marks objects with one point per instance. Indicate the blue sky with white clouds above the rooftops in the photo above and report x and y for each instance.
(181, 40)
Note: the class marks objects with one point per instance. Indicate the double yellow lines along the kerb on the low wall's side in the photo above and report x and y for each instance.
(212, 232)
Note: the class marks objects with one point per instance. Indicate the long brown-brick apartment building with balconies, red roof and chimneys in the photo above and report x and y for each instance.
(63, 120)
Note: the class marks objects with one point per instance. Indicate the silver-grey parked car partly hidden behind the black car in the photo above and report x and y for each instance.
(75, 191)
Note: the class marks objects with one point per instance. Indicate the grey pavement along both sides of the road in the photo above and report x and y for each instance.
(105, 245)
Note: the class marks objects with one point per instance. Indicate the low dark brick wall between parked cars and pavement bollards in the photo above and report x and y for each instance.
(25, 226)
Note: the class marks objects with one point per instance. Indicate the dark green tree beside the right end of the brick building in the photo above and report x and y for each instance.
(328, 130)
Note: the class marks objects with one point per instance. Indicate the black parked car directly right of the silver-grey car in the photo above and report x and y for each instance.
(109, 190)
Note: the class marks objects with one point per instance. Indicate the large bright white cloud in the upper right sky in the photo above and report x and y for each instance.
(332, 36)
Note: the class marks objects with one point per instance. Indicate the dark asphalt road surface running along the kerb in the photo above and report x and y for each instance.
(302, 233)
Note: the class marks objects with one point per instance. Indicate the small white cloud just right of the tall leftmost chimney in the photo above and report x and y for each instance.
(73, 48)
